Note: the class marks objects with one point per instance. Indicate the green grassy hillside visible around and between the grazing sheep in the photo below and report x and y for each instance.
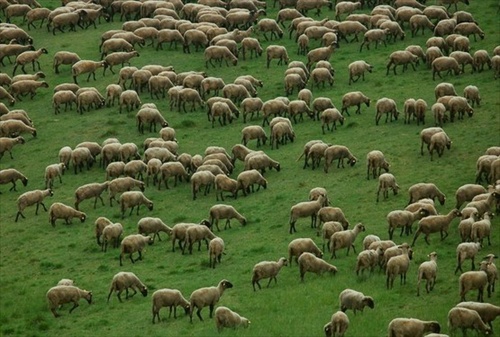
(35, 256)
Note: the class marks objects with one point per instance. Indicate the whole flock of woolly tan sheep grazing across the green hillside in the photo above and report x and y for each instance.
(161, 160)
